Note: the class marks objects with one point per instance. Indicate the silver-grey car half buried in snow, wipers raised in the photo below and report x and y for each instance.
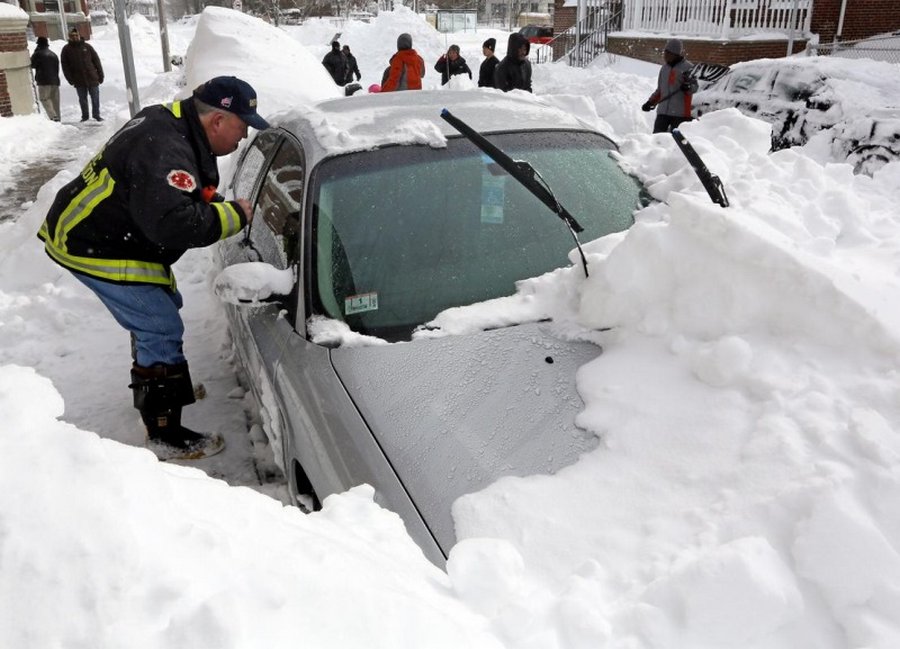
(382, 216)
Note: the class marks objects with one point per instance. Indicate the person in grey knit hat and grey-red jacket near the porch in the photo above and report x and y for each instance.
(675, 89)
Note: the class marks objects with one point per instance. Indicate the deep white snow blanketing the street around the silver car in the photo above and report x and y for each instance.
(745, 492)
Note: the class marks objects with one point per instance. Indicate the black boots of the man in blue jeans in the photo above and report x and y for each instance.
(159, 394)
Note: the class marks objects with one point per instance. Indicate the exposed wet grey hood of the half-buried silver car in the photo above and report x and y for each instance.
(453, 414)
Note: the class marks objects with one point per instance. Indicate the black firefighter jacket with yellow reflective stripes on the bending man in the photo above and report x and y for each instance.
(142, 201)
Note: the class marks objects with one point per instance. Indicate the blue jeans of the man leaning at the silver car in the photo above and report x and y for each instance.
(150, 313)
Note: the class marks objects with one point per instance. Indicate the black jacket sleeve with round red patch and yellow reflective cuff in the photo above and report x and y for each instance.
(167, 215)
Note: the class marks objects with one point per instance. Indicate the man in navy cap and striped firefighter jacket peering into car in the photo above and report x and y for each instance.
(146, 198)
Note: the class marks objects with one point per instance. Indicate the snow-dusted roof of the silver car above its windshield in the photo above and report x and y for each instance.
(373, 120)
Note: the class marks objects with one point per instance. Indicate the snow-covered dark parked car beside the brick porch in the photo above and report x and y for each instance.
(806, 95)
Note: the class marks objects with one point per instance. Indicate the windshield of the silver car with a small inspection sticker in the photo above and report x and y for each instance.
(404, 232)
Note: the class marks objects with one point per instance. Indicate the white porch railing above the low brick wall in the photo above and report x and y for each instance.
(718, 18)
